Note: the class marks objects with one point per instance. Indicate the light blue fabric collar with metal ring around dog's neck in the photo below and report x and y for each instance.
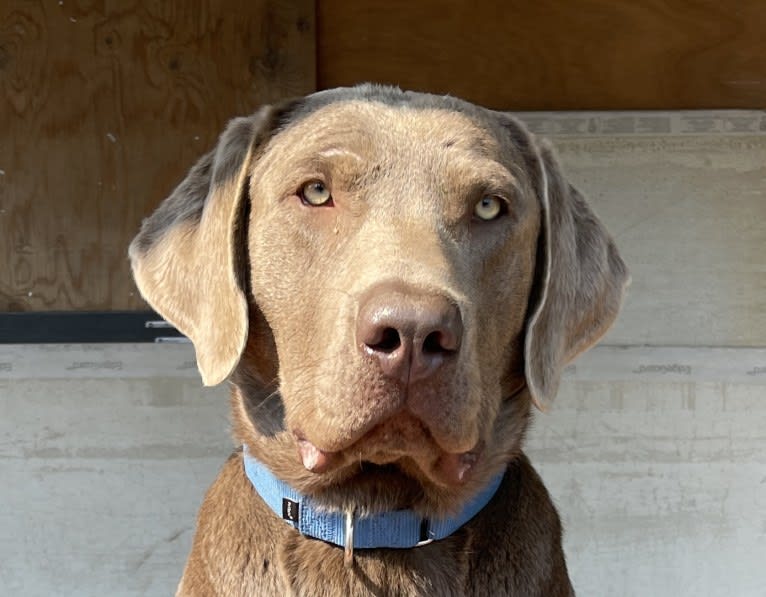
(400, 529)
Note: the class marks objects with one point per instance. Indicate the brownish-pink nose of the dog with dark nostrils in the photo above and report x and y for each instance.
(411, 334)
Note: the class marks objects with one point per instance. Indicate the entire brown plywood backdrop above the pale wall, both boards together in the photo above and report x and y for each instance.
(104, 105)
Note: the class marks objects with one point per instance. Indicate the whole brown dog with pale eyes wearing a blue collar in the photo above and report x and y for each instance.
(391, 281)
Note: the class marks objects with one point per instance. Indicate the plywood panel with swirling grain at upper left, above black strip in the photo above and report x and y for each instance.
(103, 107)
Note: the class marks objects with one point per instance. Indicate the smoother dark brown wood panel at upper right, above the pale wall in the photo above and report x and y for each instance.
(553, 55)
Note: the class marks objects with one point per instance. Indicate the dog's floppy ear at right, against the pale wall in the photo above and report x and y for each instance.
(580, 280)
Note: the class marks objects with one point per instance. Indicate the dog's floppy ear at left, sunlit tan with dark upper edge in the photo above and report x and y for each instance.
(190, 258)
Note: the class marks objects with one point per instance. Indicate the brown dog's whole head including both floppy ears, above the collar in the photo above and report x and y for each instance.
(391, 278)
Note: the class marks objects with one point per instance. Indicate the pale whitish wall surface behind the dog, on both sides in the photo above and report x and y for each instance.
(655, 450)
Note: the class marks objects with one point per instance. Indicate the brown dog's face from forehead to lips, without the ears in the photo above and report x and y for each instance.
(391, 252)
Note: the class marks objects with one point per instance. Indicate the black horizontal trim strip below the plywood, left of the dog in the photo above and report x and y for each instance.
(58, 327)
